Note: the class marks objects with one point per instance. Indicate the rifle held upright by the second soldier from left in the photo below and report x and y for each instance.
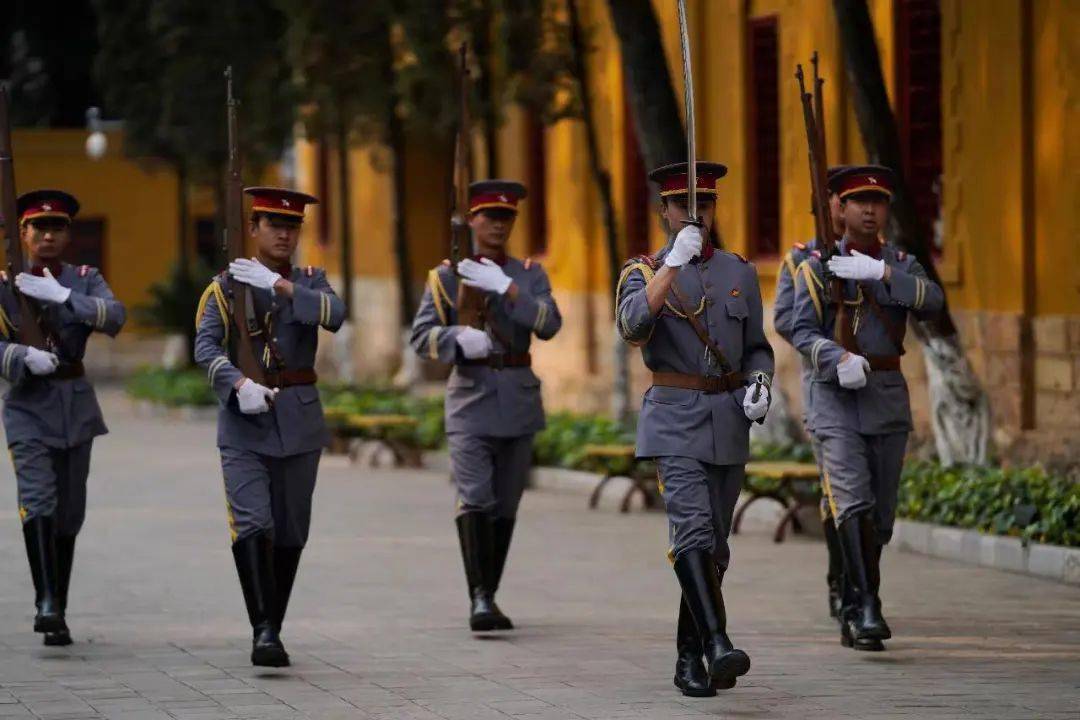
(242, 318)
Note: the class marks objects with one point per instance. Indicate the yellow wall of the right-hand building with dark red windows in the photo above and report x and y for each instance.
(984, 87)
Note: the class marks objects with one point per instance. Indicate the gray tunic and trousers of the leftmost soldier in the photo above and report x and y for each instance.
(51, 424)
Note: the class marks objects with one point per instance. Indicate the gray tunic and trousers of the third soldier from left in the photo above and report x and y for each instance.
(492, 413)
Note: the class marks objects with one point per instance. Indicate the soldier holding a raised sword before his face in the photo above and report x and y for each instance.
(696, 313)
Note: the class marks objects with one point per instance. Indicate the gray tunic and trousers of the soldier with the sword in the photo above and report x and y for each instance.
(700, 441)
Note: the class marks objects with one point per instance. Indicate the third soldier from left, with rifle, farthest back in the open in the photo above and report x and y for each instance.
(493, 398)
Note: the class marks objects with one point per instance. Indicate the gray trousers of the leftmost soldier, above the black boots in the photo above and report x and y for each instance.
(52, 482)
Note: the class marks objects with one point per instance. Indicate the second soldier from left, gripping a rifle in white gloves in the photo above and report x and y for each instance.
(271, 436)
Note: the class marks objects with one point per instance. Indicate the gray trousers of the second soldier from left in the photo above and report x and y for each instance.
(271, 495)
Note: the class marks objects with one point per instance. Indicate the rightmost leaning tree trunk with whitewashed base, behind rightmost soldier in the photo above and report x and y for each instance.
(960, 407)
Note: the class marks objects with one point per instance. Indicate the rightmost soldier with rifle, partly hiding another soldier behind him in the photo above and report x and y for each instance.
(860, 413)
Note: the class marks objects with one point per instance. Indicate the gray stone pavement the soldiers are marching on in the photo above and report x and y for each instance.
(377, 628)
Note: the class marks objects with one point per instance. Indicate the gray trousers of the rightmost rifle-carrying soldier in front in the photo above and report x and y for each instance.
(861, 473)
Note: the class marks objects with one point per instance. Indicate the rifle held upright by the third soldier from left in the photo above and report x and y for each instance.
(470, 303)
